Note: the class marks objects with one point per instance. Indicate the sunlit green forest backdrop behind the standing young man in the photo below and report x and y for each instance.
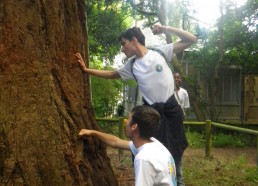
(231, 39)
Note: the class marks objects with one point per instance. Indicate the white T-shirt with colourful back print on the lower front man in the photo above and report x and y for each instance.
(153, 164)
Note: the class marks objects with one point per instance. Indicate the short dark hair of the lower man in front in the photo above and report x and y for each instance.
(147, 119)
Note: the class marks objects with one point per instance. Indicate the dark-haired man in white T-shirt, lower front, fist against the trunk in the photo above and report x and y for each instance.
(153, 163)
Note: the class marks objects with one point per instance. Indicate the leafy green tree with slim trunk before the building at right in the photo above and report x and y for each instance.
(233, 42)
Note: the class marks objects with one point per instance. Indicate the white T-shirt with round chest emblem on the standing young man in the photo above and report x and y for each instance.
(154, 77)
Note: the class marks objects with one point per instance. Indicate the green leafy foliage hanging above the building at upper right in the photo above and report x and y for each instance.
(240, 41)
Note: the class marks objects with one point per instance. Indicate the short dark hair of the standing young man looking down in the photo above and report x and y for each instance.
(133, 32)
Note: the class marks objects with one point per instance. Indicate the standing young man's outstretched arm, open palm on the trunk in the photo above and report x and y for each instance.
(99, 73)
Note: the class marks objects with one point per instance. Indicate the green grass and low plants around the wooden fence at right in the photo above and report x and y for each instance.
(225, 171)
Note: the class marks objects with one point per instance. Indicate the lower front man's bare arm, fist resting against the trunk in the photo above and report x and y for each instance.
(109, 139)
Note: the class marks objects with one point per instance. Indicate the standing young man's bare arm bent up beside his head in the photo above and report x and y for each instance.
(187, 39)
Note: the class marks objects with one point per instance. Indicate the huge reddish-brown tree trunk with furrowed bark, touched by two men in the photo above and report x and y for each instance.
(45, 99)
